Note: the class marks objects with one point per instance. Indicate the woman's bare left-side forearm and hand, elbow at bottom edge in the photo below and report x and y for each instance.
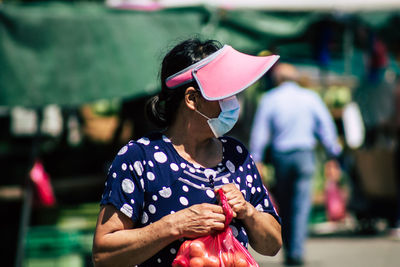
(118, 243)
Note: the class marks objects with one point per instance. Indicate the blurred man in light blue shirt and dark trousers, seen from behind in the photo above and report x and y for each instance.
(289, 122)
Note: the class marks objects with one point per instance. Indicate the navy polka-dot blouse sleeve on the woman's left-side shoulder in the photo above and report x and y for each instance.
(124, 186)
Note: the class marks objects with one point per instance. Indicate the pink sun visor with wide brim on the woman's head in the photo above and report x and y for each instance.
(223, 73)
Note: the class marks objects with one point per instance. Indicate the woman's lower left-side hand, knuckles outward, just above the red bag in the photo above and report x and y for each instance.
(199, 220)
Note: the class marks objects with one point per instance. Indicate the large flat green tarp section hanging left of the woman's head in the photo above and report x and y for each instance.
(74, 53)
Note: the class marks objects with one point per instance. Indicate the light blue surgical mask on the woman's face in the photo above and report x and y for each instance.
(227, 118)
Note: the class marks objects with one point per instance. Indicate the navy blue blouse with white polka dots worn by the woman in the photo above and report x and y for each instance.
(148, 179)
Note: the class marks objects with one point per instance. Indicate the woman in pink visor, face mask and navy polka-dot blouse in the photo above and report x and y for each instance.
(160, 189)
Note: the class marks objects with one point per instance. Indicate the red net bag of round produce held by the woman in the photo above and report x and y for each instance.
(219, 250)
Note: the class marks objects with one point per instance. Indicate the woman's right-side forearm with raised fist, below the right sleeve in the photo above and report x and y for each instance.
(262, 228)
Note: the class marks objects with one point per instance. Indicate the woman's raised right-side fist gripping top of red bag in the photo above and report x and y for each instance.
(241, 208)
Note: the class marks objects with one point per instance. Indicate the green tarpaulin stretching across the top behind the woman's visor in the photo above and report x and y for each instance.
(73, 53)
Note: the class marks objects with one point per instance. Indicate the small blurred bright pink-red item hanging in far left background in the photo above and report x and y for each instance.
(42, 184)
